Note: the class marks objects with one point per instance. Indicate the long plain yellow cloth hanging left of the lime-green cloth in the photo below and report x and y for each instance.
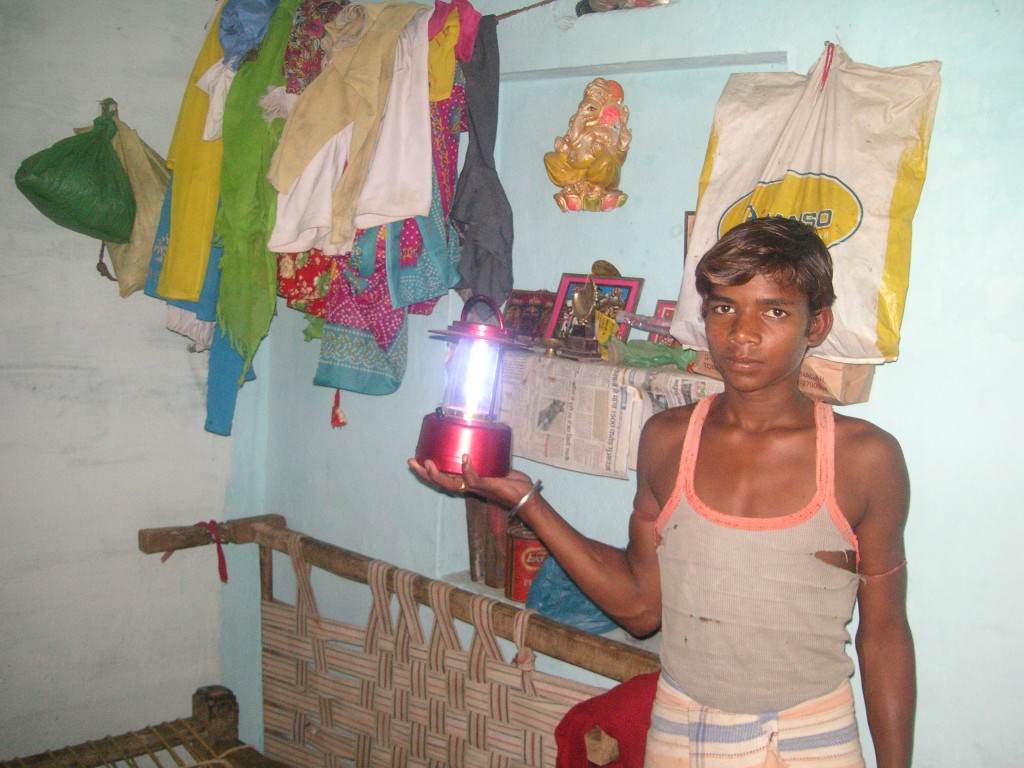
(196, 185)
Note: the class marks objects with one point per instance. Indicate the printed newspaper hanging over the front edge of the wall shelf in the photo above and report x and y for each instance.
(587, 415)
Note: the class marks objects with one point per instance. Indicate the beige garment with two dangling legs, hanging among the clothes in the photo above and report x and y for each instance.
(353, 91)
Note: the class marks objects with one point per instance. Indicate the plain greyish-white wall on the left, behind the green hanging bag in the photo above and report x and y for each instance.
(102, 410)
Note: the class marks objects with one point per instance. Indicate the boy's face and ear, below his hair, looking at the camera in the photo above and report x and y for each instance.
(759, 332)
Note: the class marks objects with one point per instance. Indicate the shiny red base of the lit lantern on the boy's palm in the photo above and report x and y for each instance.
(445, 440)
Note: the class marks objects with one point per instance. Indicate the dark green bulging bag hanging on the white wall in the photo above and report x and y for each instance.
(79, 183)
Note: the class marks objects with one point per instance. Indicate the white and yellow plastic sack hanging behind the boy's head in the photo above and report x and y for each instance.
(844, 150)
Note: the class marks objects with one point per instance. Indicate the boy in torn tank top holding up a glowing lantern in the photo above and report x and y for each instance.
(760, 518)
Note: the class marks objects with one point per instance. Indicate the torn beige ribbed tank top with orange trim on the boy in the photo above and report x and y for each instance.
(753, 622)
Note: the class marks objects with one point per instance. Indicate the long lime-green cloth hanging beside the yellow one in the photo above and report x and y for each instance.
(249, 203)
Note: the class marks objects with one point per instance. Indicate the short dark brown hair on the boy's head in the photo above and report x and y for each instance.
(787, 251)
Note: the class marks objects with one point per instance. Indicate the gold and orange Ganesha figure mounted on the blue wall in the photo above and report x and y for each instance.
(588, 161)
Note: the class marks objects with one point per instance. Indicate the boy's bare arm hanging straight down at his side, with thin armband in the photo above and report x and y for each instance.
(885, 646)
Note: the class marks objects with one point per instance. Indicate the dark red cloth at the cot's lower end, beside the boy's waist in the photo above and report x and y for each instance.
(623, 712)
